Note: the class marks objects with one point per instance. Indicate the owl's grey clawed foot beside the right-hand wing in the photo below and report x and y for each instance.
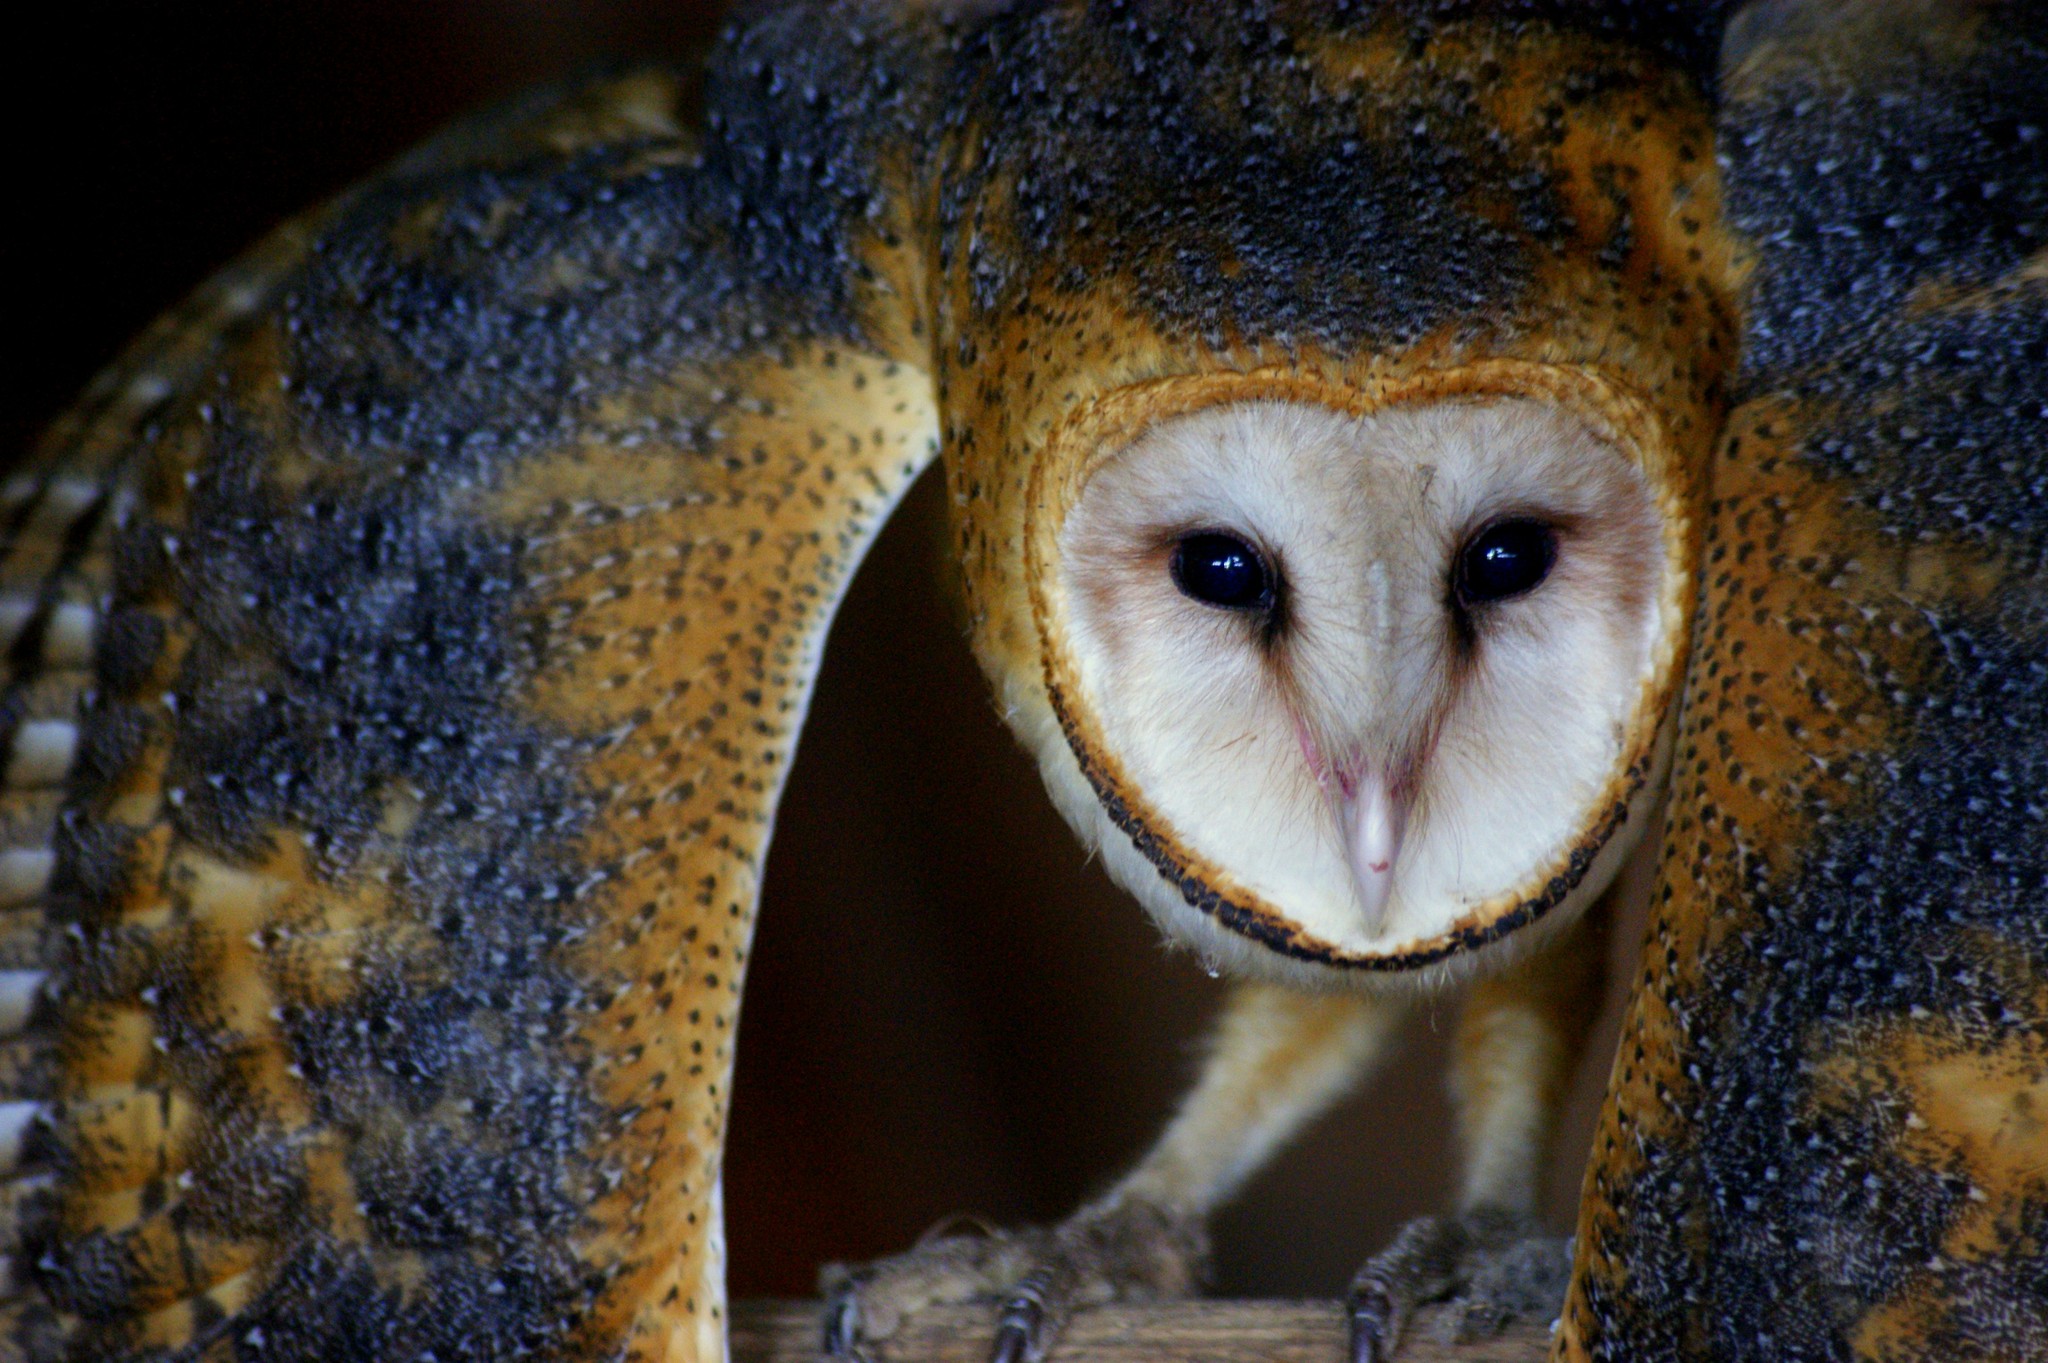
(1492, 1268)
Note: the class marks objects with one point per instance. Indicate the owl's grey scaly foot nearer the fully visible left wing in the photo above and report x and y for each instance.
(1125, 1251)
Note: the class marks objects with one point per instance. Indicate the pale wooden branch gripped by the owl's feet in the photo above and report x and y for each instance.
(1152, 1333)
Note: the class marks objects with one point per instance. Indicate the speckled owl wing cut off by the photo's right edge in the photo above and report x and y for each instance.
(1828, 1133)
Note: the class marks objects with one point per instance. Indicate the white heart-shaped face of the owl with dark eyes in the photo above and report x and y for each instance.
(1365, 685)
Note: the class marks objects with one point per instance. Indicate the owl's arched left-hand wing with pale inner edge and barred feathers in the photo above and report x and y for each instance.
(407, 648)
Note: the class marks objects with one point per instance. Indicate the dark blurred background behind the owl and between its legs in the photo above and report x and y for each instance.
(949, 1010)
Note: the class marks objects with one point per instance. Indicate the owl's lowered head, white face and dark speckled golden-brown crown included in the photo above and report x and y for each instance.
(1330, 492)
